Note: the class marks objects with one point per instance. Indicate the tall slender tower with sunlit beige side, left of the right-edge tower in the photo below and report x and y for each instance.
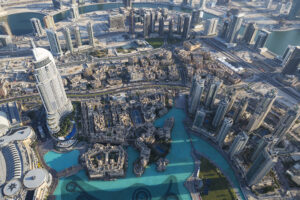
(262, 110)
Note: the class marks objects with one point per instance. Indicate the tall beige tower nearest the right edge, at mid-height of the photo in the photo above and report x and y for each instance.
(285, 124)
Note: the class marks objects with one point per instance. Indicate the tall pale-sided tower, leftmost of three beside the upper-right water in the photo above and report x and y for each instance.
(234, 27)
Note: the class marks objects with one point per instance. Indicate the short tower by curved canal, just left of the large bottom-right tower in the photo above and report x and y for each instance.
(238, 144)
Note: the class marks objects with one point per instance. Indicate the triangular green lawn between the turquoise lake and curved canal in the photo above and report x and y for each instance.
(219, 187)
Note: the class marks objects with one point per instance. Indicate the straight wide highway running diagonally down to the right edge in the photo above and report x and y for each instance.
(262, 75)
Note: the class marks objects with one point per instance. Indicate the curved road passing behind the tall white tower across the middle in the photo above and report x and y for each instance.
(124, 88)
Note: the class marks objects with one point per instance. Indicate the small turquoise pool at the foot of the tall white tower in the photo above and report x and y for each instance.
(61, 161)
